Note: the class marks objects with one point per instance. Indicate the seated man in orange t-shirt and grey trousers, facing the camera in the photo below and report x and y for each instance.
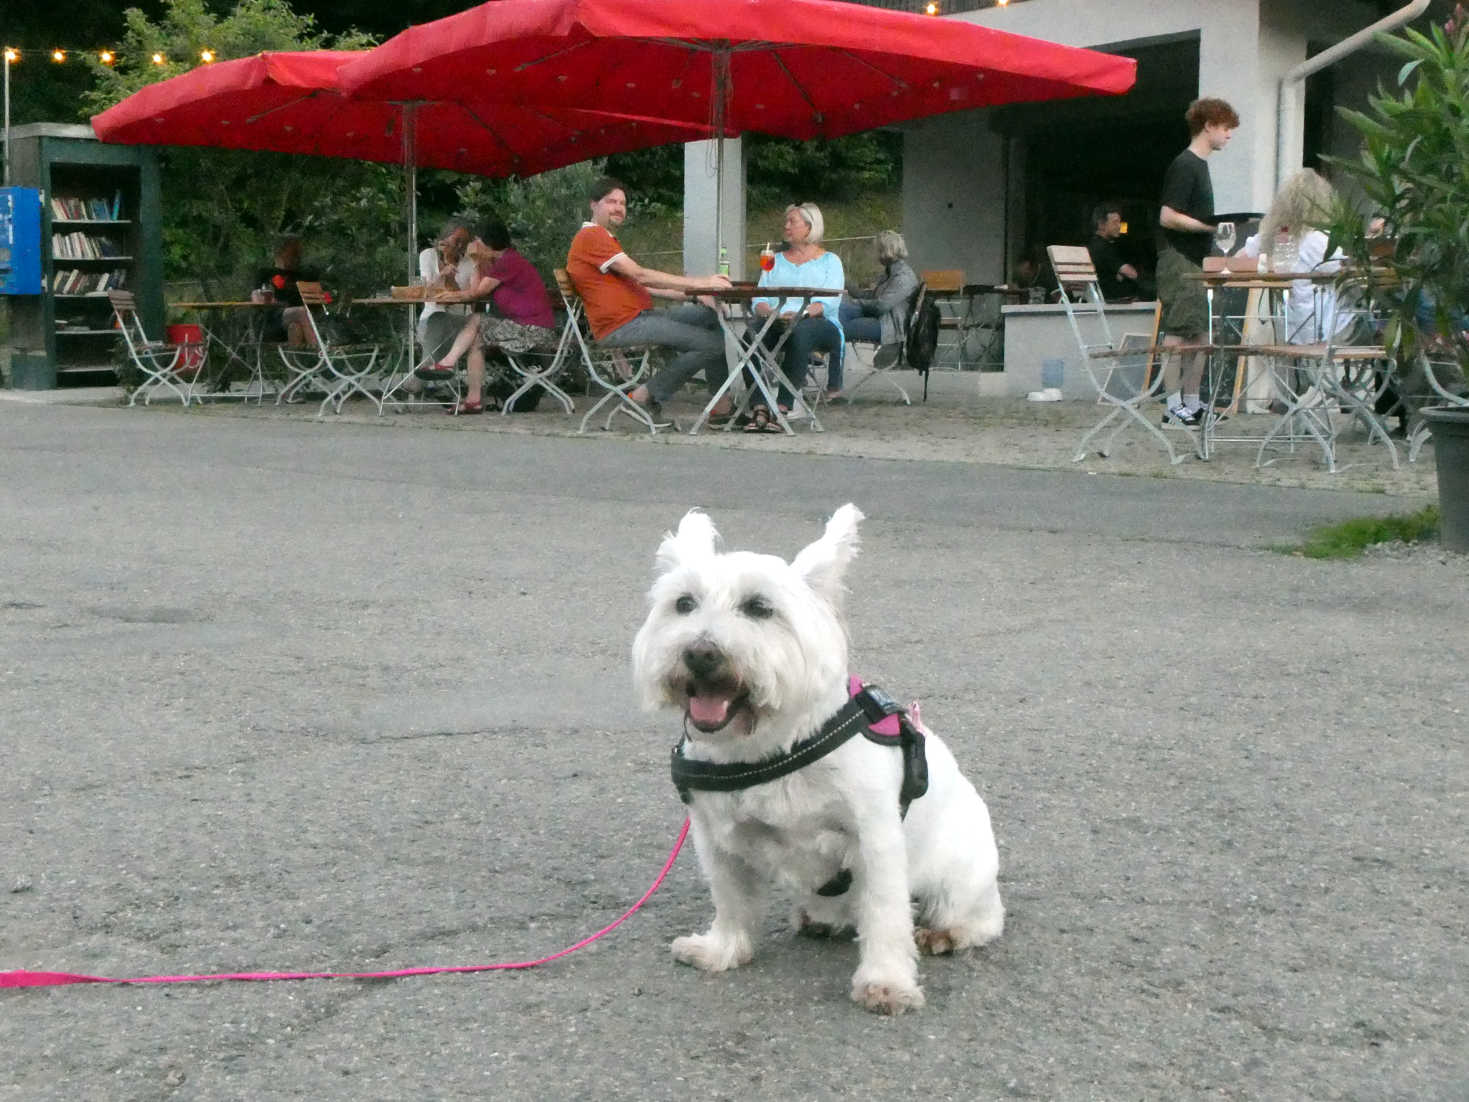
(615, 290)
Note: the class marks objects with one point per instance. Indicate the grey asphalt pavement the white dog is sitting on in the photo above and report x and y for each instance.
(283, 696)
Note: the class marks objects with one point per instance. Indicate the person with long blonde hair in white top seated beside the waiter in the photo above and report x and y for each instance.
(1305, 202)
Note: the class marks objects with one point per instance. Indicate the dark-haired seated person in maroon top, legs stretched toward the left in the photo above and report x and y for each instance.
(522, 323)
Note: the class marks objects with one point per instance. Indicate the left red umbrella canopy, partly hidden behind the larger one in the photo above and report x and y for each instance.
(293, 104)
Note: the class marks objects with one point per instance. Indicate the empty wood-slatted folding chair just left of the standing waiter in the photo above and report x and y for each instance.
(1123, 377)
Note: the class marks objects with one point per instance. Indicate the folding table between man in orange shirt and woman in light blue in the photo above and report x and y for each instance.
(744, 347)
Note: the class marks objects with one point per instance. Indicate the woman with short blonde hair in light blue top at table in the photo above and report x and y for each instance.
(819, 328)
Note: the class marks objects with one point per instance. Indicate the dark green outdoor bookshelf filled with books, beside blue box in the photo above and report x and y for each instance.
(99, 233)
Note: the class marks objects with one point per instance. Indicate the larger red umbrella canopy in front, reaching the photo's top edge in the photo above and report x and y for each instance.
(790, 68)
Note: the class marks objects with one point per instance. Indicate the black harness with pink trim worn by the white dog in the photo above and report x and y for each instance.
(870, 712)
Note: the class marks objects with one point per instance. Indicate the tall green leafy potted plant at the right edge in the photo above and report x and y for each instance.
(1414, 173)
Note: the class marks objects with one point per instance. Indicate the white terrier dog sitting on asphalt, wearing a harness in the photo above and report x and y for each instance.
(753, 652)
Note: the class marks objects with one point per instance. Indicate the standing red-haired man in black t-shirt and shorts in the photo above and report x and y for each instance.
(1188, 224)
